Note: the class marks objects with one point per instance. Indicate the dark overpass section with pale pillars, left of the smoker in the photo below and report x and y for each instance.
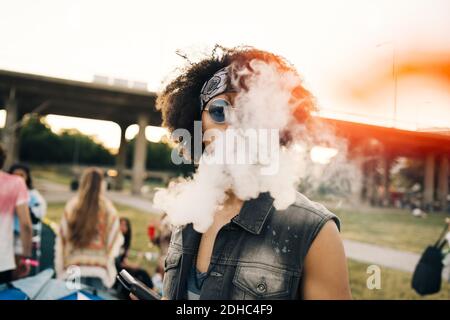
(22, 93)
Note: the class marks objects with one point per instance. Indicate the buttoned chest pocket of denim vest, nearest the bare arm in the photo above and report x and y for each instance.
(263, 282)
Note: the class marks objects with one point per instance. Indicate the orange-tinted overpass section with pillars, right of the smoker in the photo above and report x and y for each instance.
(374, 146)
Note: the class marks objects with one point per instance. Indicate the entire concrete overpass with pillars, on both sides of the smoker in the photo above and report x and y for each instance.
(368, 144)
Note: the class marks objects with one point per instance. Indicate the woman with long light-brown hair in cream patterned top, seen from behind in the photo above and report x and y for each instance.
(89, 238)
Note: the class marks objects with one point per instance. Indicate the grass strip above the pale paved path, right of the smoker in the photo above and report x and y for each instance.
(393, 228)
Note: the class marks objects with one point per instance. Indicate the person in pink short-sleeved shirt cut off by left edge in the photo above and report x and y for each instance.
(13, 198)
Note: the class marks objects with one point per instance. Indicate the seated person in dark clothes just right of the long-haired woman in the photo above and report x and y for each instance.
(122, 261)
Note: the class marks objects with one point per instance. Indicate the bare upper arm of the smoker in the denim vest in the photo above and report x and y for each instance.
(325, 274)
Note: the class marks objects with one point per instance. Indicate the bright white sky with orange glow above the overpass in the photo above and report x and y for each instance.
(338, 46)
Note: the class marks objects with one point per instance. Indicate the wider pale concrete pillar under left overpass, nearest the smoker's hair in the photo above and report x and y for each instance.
(140, 156)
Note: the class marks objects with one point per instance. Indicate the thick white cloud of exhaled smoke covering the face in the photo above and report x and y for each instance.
(251, 156)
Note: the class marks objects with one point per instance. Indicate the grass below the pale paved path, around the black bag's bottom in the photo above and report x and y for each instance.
(394, 285)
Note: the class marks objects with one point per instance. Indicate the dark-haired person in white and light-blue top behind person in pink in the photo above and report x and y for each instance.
(37, 206)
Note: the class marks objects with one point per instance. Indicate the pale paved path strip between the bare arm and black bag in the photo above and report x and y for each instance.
(382, 256)
